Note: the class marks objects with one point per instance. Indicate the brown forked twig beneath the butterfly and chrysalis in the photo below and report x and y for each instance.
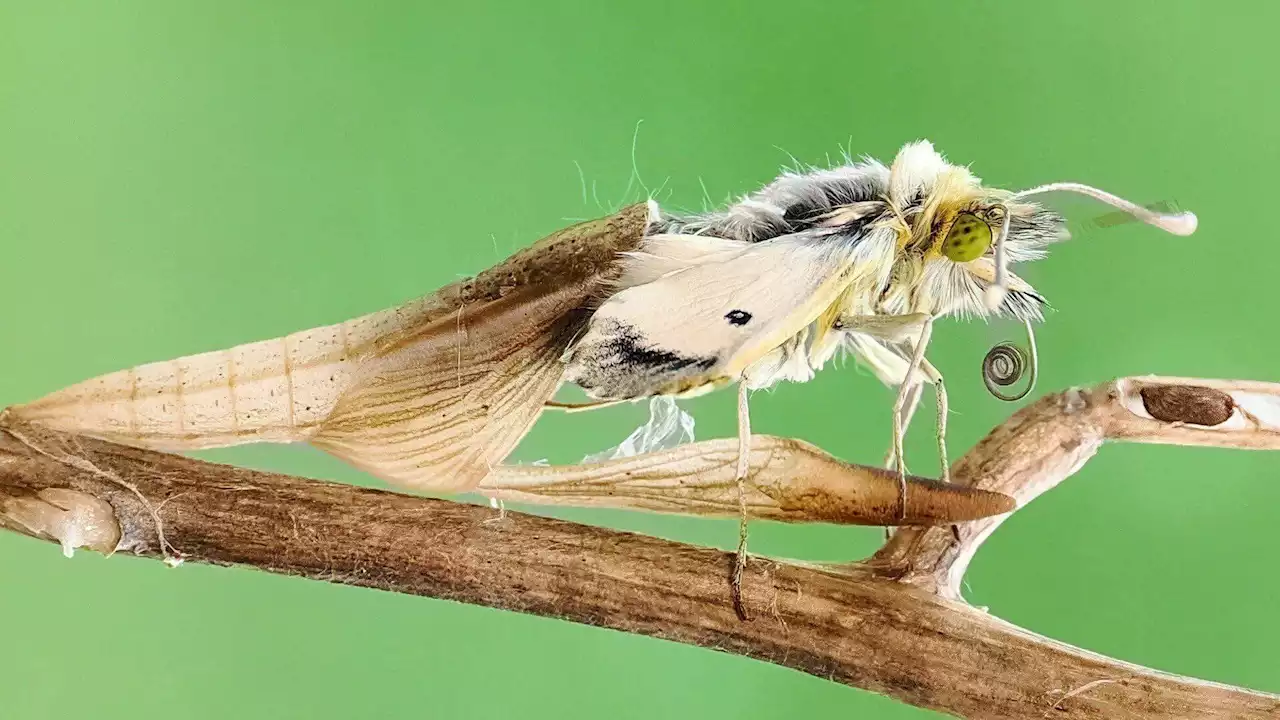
(893, 626)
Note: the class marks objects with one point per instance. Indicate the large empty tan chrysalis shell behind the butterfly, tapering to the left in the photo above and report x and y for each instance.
(427, 395)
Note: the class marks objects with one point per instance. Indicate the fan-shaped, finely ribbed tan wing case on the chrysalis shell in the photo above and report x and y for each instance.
(447, 404)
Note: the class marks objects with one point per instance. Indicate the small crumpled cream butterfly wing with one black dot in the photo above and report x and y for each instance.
(705, 325)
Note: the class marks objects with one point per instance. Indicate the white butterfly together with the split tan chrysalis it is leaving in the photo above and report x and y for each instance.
(435, 395)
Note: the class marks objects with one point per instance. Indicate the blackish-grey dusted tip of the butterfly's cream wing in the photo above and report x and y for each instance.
(615, 362)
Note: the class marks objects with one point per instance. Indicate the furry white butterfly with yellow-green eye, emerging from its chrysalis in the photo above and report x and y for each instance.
(863, 257)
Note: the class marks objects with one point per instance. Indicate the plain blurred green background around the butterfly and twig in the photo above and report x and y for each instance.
(179, 177)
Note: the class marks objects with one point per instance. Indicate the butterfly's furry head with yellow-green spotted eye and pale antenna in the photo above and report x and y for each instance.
(966, 235)
